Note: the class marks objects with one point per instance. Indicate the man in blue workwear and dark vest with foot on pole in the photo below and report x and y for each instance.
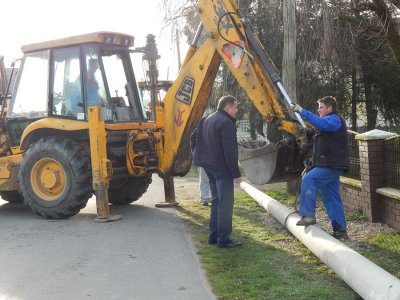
(330, 159)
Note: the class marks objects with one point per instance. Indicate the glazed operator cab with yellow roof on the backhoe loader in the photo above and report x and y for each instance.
(62, 78)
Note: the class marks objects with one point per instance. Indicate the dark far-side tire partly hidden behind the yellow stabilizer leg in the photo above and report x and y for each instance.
(127, 190)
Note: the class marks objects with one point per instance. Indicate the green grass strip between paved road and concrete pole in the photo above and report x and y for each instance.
(271, 264)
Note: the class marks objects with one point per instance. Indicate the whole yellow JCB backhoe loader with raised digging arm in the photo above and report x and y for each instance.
(76, 123)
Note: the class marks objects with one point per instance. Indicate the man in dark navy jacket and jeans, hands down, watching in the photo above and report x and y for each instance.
(214, 147)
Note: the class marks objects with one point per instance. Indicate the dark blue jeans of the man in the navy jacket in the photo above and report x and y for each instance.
(221, 185)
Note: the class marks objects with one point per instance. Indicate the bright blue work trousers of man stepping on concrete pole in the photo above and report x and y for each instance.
(326, 180)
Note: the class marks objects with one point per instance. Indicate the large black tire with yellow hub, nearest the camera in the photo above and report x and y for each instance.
(55, 178)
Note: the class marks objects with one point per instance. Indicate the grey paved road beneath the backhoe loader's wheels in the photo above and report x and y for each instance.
(146, 255)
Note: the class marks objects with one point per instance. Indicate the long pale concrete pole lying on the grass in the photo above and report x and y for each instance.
(364, 277)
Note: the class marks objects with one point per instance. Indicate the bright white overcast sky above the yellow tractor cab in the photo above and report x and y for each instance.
(31, 21)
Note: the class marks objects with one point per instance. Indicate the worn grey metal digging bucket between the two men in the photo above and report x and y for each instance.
(271, 163)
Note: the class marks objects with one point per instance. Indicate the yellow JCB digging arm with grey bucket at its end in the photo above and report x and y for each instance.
(231, 39)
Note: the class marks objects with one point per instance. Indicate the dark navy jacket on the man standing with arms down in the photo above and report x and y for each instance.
(214, 144)
